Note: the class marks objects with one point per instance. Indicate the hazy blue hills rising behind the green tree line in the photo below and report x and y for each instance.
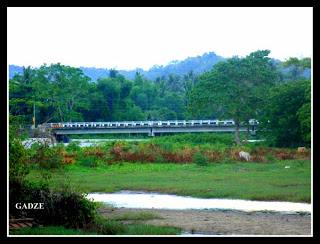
(197, 64)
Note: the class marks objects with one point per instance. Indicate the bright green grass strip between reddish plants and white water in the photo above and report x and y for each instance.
(237, 180)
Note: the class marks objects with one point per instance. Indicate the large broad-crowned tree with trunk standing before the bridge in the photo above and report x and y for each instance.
(234, 88)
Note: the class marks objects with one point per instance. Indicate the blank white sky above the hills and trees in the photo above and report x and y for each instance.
(128, 38)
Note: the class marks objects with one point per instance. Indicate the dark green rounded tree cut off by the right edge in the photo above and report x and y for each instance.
(287, 115)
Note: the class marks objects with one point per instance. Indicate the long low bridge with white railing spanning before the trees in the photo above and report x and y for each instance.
(61, 130)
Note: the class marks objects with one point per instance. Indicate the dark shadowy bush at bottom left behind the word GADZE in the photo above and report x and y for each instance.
(69, 209)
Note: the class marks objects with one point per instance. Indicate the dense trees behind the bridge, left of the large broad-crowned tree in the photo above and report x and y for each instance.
(62, 93)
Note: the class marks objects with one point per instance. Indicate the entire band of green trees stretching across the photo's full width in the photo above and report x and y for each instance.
(236, 88)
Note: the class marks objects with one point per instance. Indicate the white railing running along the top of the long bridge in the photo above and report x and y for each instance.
(166, 123)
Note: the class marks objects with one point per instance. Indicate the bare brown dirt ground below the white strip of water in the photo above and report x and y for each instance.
(224, 222)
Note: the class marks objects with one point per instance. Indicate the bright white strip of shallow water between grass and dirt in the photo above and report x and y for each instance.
(130, 199)
